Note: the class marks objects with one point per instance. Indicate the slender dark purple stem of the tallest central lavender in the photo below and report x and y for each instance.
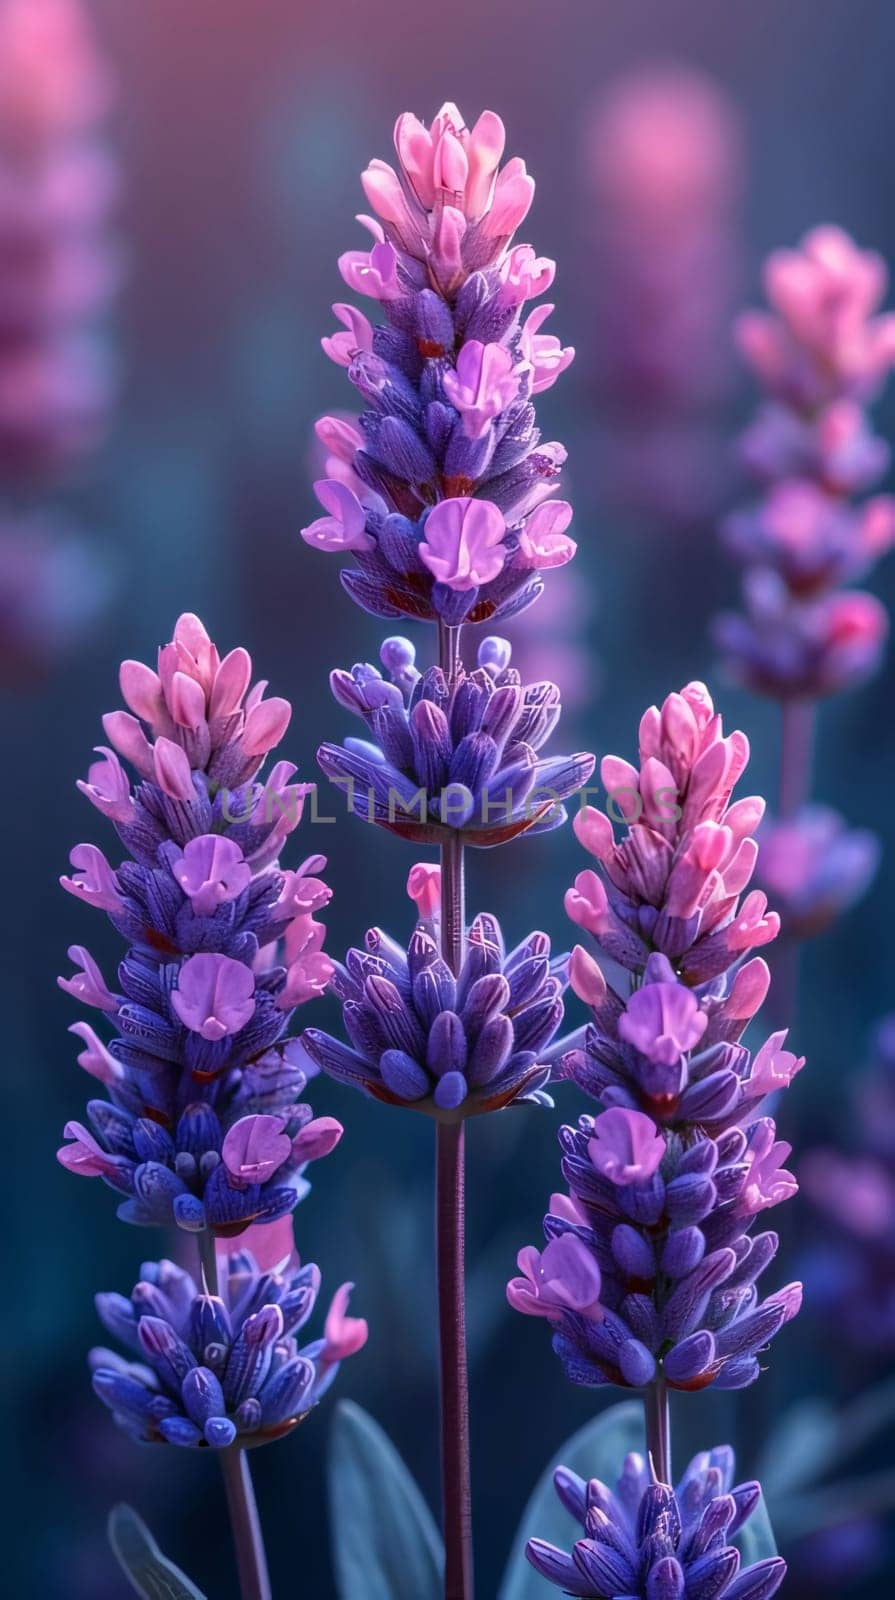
(451, 1226)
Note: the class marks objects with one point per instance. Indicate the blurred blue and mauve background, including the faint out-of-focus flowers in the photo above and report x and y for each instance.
(222, 146)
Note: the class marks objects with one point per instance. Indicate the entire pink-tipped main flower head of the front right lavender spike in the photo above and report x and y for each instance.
(649, 1270)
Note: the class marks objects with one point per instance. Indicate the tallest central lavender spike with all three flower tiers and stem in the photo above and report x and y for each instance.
(444, 495)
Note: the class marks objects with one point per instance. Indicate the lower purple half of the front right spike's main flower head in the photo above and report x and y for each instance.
(673, 1273)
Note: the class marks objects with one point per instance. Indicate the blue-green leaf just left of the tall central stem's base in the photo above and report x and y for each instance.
(385, 1542)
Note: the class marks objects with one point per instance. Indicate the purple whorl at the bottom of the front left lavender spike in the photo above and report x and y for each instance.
(215, 1370)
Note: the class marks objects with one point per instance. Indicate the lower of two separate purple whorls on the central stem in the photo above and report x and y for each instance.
(451, 1047)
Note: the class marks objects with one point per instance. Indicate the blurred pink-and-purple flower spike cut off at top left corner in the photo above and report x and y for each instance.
(60, 266)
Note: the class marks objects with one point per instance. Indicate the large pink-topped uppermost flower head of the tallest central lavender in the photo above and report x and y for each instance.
(441, 489)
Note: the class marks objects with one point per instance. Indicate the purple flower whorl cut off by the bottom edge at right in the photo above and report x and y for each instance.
(648, 1542)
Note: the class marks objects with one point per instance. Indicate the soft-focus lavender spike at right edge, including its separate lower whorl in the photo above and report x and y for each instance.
(821, 354)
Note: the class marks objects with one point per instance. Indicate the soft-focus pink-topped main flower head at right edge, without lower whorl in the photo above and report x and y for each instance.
(821, 354)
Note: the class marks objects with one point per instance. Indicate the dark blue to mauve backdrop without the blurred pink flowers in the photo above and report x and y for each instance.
(244, 129)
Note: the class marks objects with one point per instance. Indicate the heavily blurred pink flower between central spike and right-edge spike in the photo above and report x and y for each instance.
(665, 159)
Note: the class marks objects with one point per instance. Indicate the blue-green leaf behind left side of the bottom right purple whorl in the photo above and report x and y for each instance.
(595, 1452)
